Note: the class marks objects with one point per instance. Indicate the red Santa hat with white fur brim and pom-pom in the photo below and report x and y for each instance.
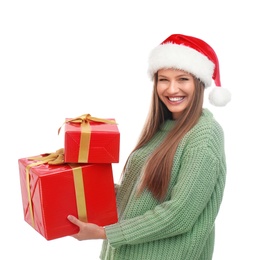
(192, 55)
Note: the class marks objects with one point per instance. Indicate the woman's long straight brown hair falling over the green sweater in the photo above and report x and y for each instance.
(157, 170)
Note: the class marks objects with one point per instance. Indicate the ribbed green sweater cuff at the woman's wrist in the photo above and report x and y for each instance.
(114, 235)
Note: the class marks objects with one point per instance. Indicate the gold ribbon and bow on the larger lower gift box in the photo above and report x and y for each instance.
(57, 158)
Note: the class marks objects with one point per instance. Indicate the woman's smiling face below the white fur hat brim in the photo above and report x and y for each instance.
(175, 89)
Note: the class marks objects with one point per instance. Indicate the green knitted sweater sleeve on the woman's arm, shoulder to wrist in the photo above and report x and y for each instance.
(195, 185)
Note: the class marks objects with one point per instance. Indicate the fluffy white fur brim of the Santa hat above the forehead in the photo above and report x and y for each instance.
(170, 55)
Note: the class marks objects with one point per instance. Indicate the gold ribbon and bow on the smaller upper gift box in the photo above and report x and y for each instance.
(84, 120)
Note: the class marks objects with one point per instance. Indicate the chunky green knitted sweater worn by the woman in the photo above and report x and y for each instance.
(182, 227)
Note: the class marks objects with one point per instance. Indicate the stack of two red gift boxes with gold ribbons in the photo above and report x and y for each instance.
(76, 179)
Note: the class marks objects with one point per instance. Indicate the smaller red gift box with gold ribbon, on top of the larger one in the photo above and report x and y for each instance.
(91, 140)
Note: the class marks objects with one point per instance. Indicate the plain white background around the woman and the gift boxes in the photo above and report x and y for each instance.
(65, 58)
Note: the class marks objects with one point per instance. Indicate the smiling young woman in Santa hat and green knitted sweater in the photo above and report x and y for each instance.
(173, 181)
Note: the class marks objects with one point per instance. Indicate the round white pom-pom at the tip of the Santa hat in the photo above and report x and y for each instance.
(219, 96)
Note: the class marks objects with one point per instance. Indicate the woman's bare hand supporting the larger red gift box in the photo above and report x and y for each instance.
(87, 230)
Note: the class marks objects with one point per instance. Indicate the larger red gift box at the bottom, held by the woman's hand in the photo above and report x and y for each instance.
(52, 192)
